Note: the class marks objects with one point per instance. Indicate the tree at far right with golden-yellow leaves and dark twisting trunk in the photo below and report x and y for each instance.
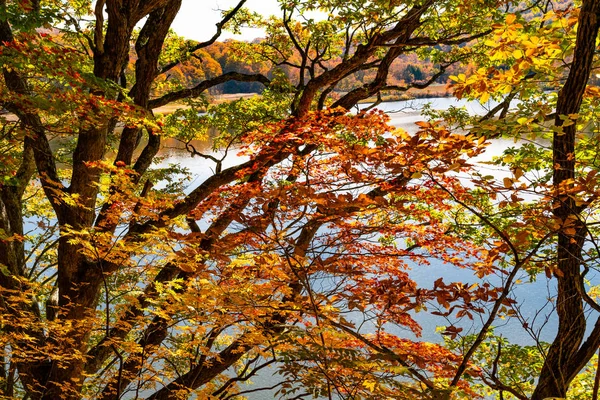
(571, 190)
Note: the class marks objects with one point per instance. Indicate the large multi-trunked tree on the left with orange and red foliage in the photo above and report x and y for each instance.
(101, 338)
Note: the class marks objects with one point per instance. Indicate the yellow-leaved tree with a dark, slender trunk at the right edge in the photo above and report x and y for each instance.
(529, 55)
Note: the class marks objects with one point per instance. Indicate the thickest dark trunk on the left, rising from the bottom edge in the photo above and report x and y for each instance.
(80, 278)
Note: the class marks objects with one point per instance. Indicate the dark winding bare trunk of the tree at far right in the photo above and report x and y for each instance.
(562, 362)
